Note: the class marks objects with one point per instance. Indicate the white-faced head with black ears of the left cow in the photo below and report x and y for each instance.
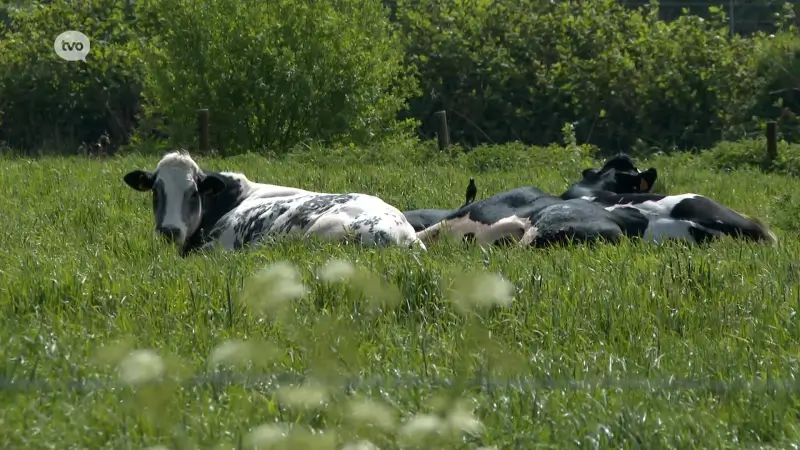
(179, 190)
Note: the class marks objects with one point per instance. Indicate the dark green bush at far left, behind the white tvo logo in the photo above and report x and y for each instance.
(46, 101)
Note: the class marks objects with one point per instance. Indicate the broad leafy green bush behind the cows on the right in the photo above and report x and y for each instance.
(520, 69)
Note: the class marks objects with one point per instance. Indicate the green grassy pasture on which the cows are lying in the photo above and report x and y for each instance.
(630, 346)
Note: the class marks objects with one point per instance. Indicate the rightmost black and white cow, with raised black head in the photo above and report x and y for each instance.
(690, 217)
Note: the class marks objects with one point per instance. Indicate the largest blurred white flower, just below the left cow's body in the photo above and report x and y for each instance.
(271, 288)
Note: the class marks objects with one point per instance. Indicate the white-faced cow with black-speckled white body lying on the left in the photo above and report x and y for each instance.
(197, 209)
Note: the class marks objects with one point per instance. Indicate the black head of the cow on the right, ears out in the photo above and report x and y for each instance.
(620, 176)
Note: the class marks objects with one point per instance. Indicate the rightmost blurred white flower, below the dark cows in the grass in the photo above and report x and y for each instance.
(479, 290)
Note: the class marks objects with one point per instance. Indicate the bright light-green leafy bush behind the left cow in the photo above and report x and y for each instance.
(276, 73)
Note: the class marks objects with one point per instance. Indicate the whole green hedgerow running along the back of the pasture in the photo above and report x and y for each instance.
(281, 75)
